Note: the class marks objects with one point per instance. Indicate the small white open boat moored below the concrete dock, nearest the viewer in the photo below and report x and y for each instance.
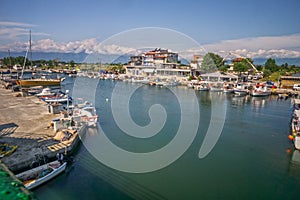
(39, 175)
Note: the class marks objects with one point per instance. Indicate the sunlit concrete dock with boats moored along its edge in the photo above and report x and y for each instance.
(25, 122)
